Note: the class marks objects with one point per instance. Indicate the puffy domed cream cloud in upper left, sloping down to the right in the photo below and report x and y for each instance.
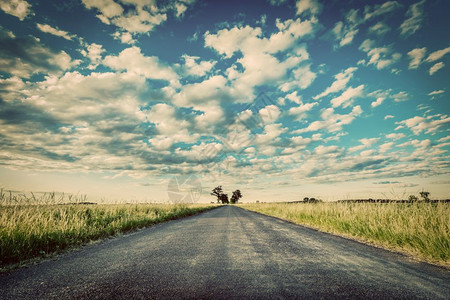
(133, 61)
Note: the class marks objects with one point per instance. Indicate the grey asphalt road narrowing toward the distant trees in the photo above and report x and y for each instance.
(227, 253)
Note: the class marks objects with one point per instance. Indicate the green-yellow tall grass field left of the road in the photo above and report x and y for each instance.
(29, 231)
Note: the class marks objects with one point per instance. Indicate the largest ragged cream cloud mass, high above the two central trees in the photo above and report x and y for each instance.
(259, 64)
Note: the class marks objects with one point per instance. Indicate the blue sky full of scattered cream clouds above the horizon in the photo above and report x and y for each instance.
(147, 100)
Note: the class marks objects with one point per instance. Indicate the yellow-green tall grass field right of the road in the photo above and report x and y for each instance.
(421, 230)
